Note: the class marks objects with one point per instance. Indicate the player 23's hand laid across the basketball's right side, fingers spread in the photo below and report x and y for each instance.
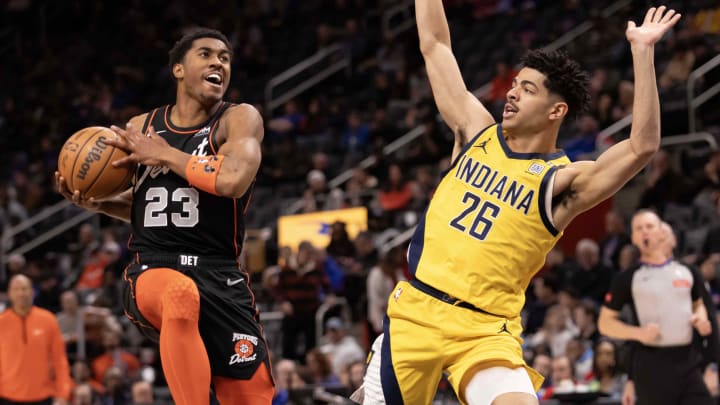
(142, 149)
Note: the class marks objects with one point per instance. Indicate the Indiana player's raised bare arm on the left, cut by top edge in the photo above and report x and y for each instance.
(460, 109)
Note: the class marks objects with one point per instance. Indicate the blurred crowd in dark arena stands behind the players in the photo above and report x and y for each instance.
(99, 63)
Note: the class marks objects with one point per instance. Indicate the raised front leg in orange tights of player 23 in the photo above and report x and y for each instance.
(171, 302)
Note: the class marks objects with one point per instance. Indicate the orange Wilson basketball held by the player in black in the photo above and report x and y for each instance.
(85, 163)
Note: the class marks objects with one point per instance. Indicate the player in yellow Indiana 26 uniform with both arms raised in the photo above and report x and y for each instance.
(496, 213)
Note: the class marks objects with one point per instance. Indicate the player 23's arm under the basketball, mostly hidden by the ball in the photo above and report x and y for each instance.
(117, 206)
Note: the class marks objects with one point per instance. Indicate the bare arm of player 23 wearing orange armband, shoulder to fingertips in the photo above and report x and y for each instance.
(240, 134)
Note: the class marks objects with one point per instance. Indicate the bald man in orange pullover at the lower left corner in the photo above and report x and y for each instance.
(33, 364)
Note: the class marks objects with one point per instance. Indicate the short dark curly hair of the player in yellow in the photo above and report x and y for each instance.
(564, 77)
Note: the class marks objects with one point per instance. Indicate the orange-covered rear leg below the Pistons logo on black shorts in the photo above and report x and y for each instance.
(258, 390)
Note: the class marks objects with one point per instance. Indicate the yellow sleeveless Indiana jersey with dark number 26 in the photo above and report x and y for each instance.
(488, 227)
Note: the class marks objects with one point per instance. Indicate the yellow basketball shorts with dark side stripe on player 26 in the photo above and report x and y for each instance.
(425, 336)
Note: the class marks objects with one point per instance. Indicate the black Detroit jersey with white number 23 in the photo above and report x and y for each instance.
(171, 216)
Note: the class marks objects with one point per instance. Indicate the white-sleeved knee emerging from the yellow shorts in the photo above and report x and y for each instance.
(500, 386)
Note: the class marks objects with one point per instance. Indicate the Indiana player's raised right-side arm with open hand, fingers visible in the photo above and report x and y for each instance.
(582, 185)
